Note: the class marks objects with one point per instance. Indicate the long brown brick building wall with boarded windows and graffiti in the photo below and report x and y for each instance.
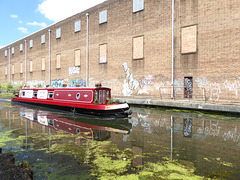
(130, 49)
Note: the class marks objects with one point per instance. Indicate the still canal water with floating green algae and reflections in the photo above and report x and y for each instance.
(151, 144)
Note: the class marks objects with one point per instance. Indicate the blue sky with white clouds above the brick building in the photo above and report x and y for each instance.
(20, 18)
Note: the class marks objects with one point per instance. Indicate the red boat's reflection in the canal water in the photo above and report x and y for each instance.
(89, 128)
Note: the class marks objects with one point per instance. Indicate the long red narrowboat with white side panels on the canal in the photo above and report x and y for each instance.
(89, 101)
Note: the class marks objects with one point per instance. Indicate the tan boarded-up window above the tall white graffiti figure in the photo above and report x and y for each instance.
(138, 47)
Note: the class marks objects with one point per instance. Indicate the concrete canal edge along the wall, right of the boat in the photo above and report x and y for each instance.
(201, 106)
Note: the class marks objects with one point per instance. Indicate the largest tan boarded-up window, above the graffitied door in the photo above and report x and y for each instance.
(189, 40)
